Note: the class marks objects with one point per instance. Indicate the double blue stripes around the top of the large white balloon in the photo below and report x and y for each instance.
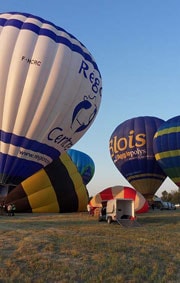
(45, 32)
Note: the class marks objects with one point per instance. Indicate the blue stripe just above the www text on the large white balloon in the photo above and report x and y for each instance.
(28, 144)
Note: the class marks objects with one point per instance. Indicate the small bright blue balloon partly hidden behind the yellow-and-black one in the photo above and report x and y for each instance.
(84, 163)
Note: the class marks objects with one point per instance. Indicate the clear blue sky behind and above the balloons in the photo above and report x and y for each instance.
(136, 45)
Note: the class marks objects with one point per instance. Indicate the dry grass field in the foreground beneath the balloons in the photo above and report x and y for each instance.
(77, 248)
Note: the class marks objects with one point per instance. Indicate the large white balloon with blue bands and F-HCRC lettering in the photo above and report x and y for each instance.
(50, 89)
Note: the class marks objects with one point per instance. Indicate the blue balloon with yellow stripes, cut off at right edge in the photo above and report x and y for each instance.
(166, 146)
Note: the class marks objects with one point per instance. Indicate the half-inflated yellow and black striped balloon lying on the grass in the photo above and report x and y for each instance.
(56, 188)
